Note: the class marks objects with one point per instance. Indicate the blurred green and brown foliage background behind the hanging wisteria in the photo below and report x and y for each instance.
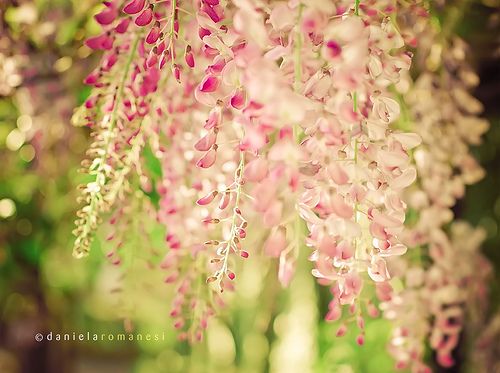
(43, 289)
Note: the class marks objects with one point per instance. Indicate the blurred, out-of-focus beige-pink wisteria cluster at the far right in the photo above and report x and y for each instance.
(448, 278)
